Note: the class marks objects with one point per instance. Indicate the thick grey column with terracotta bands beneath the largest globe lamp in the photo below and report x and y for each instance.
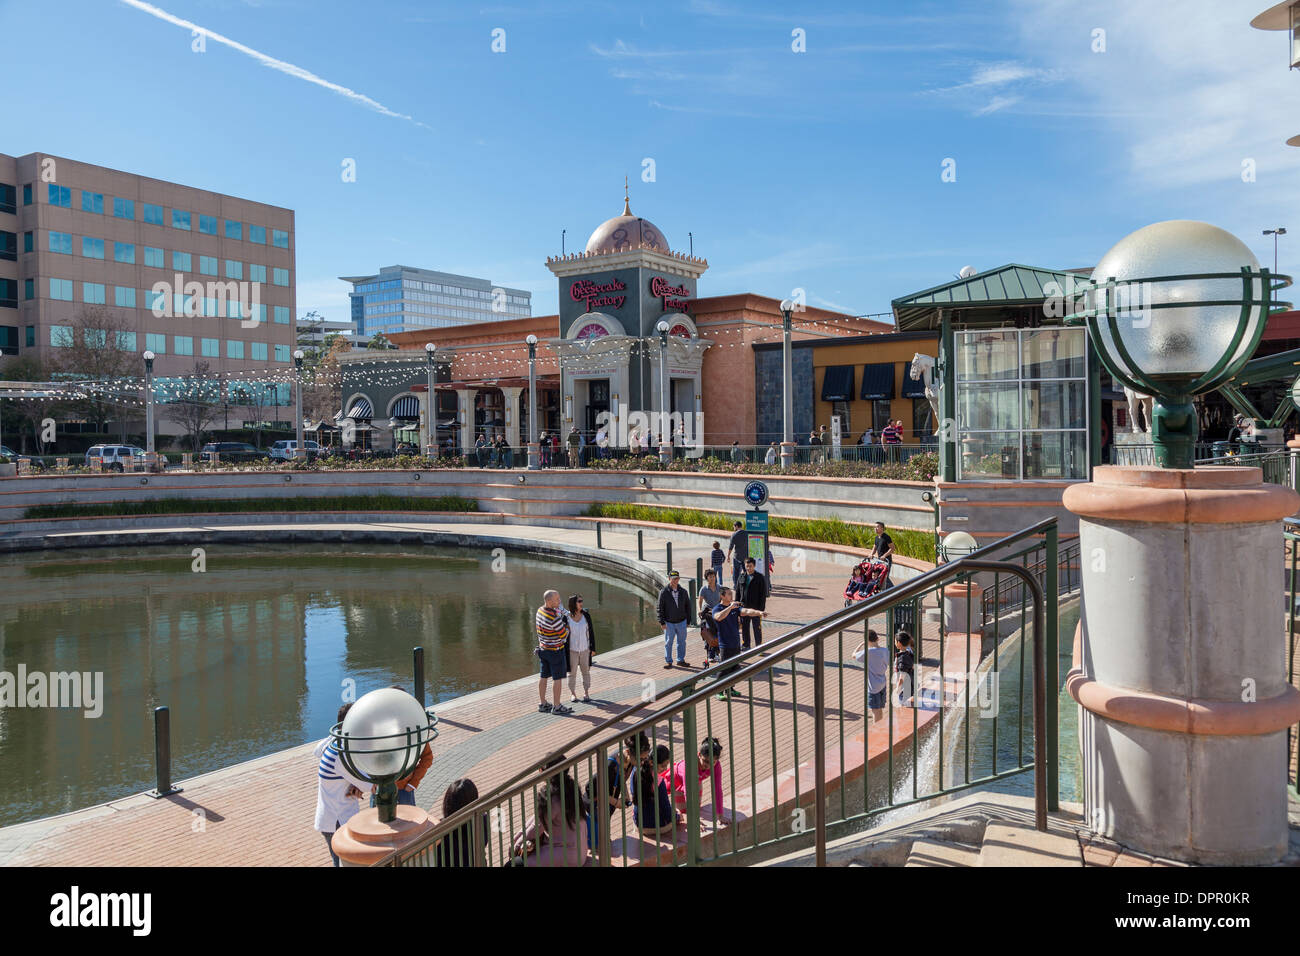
(1180, 671)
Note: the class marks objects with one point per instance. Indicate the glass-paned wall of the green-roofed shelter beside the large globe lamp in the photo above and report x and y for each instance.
(1022, 404)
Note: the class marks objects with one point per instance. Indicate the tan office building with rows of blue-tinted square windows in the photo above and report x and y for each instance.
(187, 274)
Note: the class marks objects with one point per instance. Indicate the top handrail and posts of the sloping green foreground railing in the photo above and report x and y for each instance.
(775, 652)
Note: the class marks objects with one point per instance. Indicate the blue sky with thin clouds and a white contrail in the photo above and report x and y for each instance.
(817, 170)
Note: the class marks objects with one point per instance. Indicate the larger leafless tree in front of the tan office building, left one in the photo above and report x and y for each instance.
(93, 352)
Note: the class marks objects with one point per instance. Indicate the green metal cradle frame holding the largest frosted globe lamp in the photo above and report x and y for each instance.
(1175, 423)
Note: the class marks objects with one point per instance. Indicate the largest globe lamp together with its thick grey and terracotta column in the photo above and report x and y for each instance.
(1182, 691)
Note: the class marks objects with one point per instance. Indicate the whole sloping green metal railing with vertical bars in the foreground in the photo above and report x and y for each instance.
(796, 698)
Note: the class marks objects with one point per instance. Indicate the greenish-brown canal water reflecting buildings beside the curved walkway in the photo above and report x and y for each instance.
(255, 652)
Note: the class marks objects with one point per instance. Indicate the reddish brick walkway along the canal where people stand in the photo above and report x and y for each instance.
(261, 812)
